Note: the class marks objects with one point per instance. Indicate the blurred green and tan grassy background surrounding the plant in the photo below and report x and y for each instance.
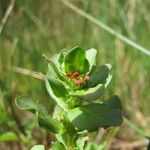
(36, 27)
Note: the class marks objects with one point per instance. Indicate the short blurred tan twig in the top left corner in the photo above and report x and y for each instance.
(6, 15)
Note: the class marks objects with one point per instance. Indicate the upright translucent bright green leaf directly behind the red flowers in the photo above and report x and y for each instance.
(75, 61)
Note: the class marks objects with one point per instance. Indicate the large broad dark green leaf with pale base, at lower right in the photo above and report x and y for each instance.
(91, 117)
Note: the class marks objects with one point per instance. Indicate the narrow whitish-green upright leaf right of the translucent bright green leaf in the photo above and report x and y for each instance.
(91, 57)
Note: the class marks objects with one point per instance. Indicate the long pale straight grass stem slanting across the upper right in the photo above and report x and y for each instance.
(106, 28)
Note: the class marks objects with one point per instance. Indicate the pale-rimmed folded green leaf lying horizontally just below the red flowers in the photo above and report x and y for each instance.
(89, 94)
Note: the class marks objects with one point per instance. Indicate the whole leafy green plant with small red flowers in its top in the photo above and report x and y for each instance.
(76, 84)
